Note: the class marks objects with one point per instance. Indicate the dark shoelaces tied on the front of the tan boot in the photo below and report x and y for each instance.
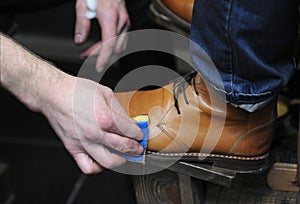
(180, 86)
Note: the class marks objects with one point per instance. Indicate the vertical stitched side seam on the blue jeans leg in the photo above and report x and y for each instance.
(229, 41)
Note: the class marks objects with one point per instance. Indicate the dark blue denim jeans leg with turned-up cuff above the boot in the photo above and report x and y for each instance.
(251, 43)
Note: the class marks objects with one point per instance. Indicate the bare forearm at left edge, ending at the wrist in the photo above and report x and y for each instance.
(31, 79)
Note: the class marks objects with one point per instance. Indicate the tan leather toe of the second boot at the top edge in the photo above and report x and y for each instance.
(182, 8)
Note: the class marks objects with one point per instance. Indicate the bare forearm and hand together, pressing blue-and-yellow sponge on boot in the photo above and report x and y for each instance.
(85, 115)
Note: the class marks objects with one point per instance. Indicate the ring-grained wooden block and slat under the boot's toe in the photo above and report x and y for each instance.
(180, 183)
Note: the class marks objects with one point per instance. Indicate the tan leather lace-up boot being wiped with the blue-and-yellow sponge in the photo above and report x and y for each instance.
(190, 121)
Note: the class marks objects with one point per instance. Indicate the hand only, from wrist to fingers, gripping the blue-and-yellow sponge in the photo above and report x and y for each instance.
(90, 119)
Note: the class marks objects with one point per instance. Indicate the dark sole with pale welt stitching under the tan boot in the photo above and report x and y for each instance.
(237, 164)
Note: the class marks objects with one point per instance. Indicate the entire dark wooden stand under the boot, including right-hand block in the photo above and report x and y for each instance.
(194, 183)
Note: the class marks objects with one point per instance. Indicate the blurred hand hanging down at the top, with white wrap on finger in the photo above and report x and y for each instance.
(113, 19)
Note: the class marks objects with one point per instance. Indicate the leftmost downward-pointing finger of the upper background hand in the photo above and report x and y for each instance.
(82, 25)
